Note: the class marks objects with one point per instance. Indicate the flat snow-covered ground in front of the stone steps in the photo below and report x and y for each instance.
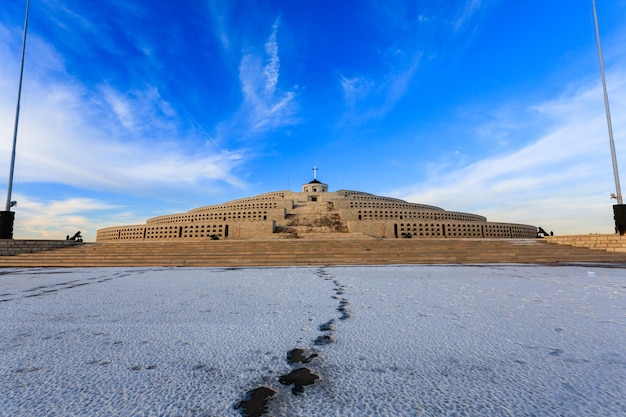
(374, 341)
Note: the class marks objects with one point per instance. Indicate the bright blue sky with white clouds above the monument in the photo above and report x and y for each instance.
(136, 108)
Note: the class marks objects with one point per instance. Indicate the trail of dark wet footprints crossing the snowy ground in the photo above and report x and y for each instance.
(256, 401)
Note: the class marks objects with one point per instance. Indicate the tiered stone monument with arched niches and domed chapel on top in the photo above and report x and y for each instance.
(314, 211)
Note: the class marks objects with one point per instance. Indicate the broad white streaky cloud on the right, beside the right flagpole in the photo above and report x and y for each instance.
(561, 180)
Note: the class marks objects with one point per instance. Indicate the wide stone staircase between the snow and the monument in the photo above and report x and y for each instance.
(297, 252)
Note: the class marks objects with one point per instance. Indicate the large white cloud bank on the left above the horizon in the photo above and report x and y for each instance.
(102, 137)
